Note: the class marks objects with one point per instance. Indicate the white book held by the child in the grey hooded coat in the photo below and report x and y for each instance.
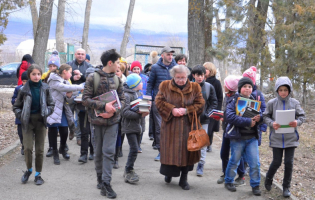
(284, 117)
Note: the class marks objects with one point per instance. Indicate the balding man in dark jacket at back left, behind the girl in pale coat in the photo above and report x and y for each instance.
(79, 67)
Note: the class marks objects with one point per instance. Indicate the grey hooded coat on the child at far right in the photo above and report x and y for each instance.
(288, 139)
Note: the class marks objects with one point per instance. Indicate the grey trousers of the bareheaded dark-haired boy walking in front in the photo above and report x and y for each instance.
(105, 139)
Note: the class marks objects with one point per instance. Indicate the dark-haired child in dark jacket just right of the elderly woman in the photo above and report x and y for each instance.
(208, 93)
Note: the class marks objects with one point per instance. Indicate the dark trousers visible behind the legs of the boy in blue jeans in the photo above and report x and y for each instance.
(225, 154)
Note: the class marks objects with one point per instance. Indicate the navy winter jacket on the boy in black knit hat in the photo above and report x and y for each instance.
(237, 121)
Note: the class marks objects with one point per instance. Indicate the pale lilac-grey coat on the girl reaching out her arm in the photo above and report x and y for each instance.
(58, 88)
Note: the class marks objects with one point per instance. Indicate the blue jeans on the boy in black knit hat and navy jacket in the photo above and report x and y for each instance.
(249, 149)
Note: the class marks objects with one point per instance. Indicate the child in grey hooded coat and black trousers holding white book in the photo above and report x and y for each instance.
(282, 143)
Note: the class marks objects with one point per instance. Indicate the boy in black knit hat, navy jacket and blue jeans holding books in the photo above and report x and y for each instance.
(243, 141)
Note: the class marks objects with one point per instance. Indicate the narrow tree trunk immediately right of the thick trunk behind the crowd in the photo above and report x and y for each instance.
(208, 30)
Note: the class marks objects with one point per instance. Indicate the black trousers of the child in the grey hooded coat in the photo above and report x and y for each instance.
(288, 164)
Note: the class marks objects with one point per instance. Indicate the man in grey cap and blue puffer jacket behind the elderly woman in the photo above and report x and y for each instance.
(159, 73)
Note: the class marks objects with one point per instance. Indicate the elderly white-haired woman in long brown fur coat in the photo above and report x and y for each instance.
(176, 102)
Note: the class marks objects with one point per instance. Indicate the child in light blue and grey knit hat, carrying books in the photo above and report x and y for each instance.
(131, 124)
